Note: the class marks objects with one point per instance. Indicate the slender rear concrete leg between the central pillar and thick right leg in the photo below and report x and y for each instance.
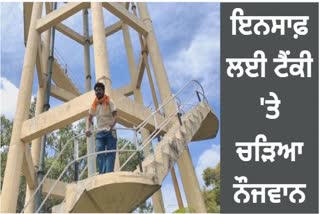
(157, 200)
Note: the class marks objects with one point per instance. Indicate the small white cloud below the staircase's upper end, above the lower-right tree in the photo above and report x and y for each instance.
(209, 158)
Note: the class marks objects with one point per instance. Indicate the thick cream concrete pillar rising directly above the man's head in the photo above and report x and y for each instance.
(99, 46)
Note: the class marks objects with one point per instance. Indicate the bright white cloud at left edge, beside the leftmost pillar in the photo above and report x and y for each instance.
(9, 95)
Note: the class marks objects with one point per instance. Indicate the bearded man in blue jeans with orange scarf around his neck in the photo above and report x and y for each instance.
(105, 111)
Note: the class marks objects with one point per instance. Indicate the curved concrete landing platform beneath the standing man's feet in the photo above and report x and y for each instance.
(111, 192)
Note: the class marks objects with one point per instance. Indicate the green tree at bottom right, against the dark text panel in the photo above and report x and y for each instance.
(211, 192)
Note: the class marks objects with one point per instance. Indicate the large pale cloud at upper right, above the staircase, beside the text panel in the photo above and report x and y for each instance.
(199, 60)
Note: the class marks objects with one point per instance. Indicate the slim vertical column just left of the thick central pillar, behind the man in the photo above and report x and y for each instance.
(88, 87)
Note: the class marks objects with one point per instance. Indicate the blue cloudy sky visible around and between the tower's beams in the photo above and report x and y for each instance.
(188, 35)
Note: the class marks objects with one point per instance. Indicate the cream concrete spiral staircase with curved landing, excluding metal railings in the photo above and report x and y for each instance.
(124, 191)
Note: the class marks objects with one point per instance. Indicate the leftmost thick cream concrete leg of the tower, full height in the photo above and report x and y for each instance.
(10, 187)
